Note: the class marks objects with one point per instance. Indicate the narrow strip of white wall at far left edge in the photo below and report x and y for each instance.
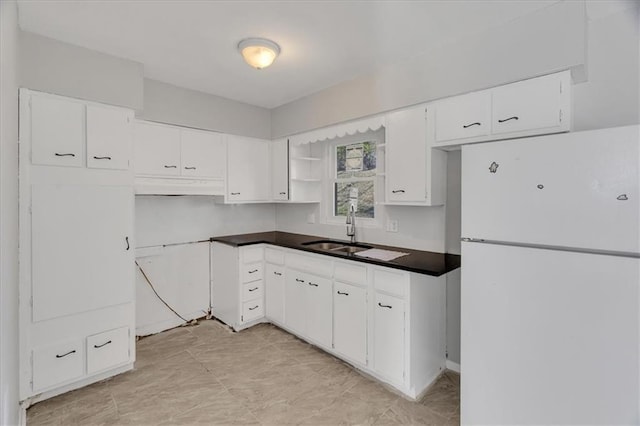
(9, 412)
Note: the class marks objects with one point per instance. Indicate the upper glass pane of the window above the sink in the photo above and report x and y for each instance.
(356, 160)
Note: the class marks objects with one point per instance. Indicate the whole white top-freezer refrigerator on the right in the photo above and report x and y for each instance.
(550, 279)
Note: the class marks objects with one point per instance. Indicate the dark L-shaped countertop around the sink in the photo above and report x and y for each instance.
(422, 262)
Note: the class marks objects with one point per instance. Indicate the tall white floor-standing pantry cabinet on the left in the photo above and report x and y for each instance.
(76, 243)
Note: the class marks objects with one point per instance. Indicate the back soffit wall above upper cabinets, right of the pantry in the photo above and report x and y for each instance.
(171, 104)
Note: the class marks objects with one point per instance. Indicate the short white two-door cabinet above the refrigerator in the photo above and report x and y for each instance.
(536, 106)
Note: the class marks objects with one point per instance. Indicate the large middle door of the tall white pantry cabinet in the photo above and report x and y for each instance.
(82, 248)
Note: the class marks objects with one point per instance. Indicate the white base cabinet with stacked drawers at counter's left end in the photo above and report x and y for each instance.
(237, 285)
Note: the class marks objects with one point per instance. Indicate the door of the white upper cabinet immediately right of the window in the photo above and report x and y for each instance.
(406, 156)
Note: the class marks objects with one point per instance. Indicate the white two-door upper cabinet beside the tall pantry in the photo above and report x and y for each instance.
(176, 160)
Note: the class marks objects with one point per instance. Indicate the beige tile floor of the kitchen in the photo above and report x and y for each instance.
(206, 374)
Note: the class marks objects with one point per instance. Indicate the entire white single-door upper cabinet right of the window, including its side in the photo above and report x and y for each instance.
(415, 174)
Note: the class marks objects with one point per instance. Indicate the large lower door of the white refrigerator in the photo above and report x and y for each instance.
(548, 337)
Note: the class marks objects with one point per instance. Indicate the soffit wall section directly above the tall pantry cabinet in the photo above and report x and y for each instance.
(57, 67)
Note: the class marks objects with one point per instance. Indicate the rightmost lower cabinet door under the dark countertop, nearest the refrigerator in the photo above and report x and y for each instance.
(388, 337)
